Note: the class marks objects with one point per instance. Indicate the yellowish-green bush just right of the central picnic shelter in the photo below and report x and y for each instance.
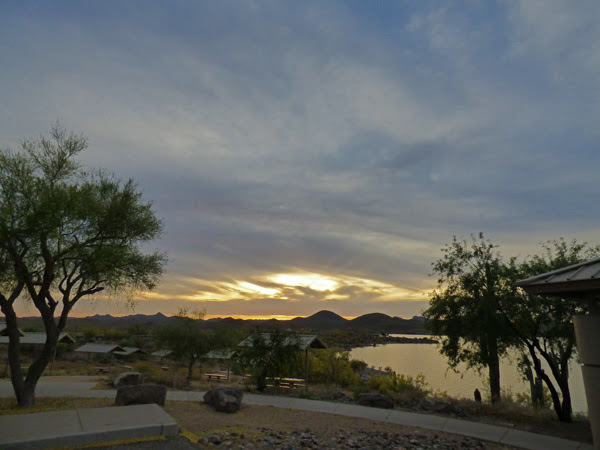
(331, 366)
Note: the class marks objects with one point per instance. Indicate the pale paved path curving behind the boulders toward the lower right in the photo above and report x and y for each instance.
(493, 433)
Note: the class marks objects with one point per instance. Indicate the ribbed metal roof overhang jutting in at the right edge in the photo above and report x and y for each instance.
(577, 280)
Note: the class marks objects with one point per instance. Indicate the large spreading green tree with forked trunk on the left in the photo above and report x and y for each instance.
(66, 234)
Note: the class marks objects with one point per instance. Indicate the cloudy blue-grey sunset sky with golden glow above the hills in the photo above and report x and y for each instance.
(318, 155)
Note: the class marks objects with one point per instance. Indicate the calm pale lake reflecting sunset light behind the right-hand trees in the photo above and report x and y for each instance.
(414, 359)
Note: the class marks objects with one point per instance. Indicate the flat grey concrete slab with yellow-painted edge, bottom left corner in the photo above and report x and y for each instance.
(57, 429)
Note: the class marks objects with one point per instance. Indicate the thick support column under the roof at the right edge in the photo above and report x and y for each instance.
(587, 333)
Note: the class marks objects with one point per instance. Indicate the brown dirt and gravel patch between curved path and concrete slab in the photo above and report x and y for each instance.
(264, 427)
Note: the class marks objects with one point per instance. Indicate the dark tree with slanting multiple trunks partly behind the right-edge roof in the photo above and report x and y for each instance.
(543, 325)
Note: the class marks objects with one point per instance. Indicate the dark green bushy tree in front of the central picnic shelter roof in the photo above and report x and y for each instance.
(272, 355)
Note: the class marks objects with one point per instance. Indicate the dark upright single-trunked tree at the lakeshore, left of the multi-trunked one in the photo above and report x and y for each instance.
(465, 309)
